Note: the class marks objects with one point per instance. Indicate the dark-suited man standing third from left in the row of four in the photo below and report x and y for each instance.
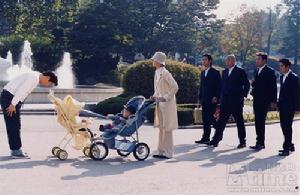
(264, 92)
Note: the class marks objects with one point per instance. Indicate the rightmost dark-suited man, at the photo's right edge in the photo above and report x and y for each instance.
(289, 92)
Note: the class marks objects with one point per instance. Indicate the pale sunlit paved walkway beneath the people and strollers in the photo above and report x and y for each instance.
(195, 169)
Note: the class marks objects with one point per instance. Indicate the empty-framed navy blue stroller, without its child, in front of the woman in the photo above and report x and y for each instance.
(125, 139)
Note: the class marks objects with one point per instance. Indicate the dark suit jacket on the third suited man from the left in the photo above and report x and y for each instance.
(264, 87)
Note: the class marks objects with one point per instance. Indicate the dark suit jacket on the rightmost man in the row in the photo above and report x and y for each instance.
(289, 93)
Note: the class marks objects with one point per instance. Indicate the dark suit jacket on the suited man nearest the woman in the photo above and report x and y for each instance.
(210, 86)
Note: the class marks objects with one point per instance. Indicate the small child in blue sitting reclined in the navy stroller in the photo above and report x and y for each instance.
(119, 120)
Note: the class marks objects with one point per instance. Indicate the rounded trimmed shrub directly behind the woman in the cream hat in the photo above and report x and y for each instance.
(138, 79)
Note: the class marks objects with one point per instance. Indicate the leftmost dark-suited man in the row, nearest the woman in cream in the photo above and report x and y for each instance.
(209, 94)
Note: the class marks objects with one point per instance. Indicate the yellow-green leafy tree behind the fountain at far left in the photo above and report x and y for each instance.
(43, 23)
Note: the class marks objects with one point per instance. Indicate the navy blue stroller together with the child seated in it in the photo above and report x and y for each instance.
(122, 134)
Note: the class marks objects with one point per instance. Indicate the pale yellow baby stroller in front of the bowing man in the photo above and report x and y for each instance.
(68, 111)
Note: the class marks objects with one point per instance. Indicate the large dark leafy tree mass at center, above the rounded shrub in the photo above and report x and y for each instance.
(117, 28)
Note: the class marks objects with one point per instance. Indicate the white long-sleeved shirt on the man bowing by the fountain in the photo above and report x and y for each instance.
(21, 86)
